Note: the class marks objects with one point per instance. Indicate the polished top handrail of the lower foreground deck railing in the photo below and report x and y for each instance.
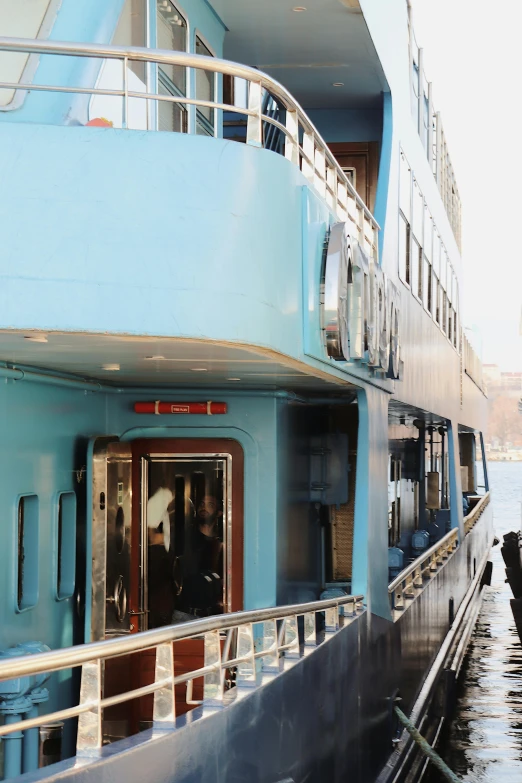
(70, 657)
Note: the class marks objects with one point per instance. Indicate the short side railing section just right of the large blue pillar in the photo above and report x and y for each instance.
(406, 585)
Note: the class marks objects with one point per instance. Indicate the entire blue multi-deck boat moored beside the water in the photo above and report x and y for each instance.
(244, 496)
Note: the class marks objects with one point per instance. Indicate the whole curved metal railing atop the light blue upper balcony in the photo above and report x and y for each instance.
(303, 144)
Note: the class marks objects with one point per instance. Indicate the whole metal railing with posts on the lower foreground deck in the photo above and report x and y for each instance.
(256, 644)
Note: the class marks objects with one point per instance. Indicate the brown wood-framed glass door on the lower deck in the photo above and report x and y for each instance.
(185, 469)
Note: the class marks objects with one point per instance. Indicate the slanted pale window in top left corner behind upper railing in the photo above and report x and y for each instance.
(22, 20)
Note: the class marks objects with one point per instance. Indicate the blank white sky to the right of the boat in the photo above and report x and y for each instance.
(472, 51)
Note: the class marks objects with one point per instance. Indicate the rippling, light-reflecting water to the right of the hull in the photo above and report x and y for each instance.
(483, 742)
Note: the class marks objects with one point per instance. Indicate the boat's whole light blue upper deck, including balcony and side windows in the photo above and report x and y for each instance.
(185, 236)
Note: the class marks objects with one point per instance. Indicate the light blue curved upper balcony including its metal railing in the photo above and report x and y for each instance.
(171, 235)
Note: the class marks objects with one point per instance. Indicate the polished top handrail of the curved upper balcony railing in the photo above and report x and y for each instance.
(166, 57)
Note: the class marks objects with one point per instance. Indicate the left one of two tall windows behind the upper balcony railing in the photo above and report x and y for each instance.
(172, 79)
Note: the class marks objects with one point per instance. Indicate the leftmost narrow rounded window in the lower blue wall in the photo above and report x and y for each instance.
(27, 555)
